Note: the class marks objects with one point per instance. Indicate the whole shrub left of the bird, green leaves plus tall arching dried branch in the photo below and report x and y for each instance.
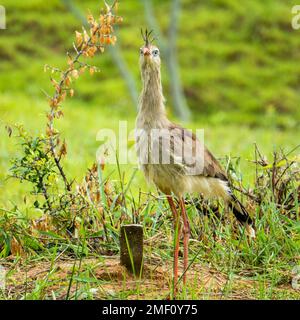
(64, 209)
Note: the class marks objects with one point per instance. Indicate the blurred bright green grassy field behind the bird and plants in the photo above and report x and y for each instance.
(239, 67)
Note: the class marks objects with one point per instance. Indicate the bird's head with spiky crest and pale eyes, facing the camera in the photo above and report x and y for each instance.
(149, 53)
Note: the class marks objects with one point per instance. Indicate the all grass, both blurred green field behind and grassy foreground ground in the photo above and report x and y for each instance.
(241, 88)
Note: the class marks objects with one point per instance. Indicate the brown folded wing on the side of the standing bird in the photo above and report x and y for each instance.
(197, 159)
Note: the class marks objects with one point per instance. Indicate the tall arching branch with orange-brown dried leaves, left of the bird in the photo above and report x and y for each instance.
(87, 44)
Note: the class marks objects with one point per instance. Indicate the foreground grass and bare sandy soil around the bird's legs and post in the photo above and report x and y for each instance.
(225, 264)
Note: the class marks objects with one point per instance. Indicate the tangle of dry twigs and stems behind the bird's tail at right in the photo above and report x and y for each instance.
(276, 181)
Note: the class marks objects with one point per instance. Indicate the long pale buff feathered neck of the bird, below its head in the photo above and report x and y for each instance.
(152, 102)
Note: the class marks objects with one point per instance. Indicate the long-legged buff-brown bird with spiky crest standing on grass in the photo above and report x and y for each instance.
(174, 158)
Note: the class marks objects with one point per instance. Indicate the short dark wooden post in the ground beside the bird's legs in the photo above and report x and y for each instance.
(131, 247)
